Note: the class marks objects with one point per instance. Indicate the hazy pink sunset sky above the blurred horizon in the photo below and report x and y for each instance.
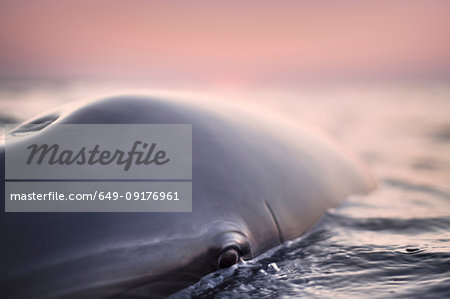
(202, 41)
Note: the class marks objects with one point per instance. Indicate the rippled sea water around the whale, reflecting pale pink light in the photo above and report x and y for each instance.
(392, 243)
